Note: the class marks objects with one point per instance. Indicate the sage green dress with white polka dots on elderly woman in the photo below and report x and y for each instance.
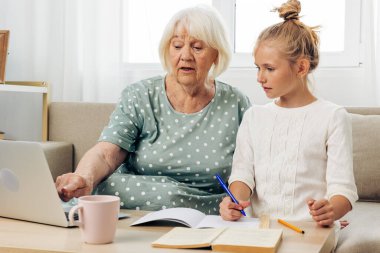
(173, 156)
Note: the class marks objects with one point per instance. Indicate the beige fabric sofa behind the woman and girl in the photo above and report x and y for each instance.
(75, 127)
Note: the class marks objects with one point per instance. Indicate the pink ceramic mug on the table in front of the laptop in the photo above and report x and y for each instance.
(98, 216)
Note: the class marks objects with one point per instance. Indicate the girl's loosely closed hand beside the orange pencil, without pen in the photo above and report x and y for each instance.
(321, 211)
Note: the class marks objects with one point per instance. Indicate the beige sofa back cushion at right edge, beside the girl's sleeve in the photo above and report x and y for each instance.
(366, 155)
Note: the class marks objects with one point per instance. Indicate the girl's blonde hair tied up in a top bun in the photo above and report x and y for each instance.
(294, 39)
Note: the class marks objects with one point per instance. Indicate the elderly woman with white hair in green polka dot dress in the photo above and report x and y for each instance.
(168, 136)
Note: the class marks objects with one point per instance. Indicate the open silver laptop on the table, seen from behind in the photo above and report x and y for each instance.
(27, 189)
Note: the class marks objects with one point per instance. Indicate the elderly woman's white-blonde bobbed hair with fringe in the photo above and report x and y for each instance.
(203, 23)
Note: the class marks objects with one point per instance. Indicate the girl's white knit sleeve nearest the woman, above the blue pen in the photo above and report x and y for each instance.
(243, 159)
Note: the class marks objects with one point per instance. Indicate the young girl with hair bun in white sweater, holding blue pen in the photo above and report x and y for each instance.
(293, 157)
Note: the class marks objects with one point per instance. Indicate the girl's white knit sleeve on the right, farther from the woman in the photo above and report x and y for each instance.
(339, 175)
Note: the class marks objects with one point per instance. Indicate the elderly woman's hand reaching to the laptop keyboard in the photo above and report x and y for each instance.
(72, 185)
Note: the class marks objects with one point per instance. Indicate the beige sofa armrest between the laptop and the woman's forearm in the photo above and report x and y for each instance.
(59, 156)
